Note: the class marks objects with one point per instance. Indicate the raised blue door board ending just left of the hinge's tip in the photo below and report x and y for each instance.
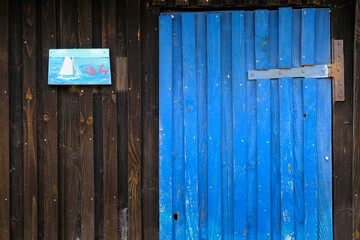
(239, 124)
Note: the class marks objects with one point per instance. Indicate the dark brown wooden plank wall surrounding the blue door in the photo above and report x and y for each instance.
(81, 162)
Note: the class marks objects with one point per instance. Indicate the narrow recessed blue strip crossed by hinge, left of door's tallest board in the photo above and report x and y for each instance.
(275, 131)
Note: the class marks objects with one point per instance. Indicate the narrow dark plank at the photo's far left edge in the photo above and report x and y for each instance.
(4, 122)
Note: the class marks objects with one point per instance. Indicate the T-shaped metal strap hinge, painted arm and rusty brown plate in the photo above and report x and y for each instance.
(334, 70)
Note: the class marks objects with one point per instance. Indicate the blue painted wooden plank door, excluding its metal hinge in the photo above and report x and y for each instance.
(244, 159)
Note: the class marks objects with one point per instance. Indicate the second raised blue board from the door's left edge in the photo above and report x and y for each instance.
(190, 127)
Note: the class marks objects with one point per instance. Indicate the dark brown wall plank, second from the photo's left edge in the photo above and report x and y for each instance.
(16, 122)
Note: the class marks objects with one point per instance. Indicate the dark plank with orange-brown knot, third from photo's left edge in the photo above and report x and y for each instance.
(29, 119)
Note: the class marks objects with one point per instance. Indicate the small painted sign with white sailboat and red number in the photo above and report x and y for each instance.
(79, 67)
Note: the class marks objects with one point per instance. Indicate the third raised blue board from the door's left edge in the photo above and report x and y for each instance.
(214, 127)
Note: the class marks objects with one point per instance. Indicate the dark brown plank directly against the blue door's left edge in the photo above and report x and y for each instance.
(150, 122)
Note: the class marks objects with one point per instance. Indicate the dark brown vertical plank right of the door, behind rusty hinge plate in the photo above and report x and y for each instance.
(343, 13)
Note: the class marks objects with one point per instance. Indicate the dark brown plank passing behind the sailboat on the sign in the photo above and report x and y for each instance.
(69, 135)
